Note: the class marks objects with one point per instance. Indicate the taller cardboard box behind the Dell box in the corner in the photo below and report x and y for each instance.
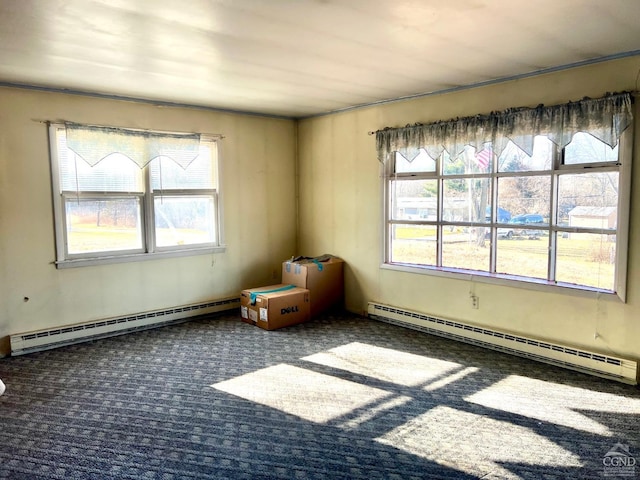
(323, 276)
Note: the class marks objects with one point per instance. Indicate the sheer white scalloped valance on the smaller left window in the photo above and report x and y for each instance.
(93, 144)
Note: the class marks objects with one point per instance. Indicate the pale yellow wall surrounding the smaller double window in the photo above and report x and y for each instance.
(259, 205)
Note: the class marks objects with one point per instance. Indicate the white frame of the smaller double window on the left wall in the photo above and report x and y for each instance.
(149, 250)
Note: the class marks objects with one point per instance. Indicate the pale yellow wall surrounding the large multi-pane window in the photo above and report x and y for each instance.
(340, 213)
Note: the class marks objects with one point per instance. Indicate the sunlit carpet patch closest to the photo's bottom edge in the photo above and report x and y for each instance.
(475, 444)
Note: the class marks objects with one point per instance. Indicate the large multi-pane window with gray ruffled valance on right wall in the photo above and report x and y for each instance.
(522, 206)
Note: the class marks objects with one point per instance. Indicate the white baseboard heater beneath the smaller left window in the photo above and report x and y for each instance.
(34, 341)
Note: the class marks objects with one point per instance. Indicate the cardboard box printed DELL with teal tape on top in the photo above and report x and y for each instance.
(275, 306)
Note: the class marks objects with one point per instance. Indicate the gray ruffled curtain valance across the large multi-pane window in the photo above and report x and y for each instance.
(604, 118)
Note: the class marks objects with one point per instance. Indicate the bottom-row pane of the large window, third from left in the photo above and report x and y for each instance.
(521, 254)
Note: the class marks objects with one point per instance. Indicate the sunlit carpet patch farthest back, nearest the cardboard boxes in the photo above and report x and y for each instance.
(384, 364)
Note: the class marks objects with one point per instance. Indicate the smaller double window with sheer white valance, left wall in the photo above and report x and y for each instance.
(122, 195)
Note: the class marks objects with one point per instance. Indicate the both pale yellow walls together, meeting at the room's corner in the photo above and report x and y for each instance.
(339, 184)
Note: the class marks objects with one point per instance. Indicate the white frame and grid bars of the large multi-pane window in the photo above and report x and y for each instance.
(558, 168)
